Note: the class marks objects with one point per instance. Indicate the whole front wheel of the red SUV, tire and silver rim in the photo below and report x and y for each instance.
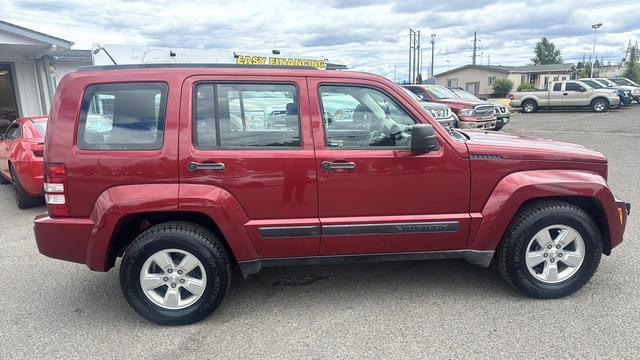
(551, 250)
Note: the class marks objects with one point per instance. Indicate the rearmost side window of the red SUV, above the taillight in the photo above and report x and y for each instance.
(123, 116)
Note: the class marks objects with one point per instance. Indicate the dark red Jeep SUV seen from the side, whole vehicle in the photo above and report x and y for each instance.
(185, 171)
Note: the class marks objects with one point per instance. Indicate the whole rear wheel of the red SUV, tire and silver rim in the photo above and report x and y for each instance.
(175, 273)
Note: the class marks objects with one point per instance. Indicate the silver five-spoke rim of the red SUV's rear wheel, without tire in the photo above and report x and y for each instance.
(173, 279)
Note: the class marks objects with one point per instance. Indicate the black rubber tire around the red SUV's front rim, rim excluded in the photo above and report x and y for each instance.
(530, 220)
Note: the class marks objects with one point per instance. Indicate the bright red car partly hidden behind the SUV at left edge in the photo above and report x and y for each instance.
(21, 159)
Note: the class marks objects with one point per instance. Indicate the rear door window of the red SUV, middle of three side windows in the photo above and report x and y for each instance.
(246, 116)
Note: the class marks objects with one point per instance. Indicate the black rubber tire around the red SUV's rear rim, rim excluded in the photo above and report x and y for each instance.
(189, 237)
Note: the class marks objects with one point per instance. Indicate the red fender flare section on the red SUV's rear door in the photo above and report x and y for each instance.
(225, 211)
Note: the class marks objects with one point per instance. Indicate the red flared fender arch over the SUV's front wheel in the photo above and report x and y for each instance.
(517, 188)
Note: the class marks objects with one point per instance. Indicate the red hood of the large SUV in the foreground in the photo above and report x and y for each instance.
(528, 148)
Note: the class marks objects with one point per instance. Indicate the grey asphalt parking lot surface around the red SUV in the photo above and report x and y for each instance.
(437, 309)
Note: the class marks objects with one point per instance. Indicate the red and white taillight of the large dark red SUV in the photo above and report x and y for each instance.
(55, 189)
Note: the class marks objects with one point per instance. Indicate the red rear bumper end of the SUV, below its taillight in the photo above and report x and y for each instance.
(63, 238)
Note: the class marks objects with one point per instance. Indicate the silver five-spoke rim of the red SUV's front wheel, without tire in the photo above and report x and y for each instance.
(555, 254)
